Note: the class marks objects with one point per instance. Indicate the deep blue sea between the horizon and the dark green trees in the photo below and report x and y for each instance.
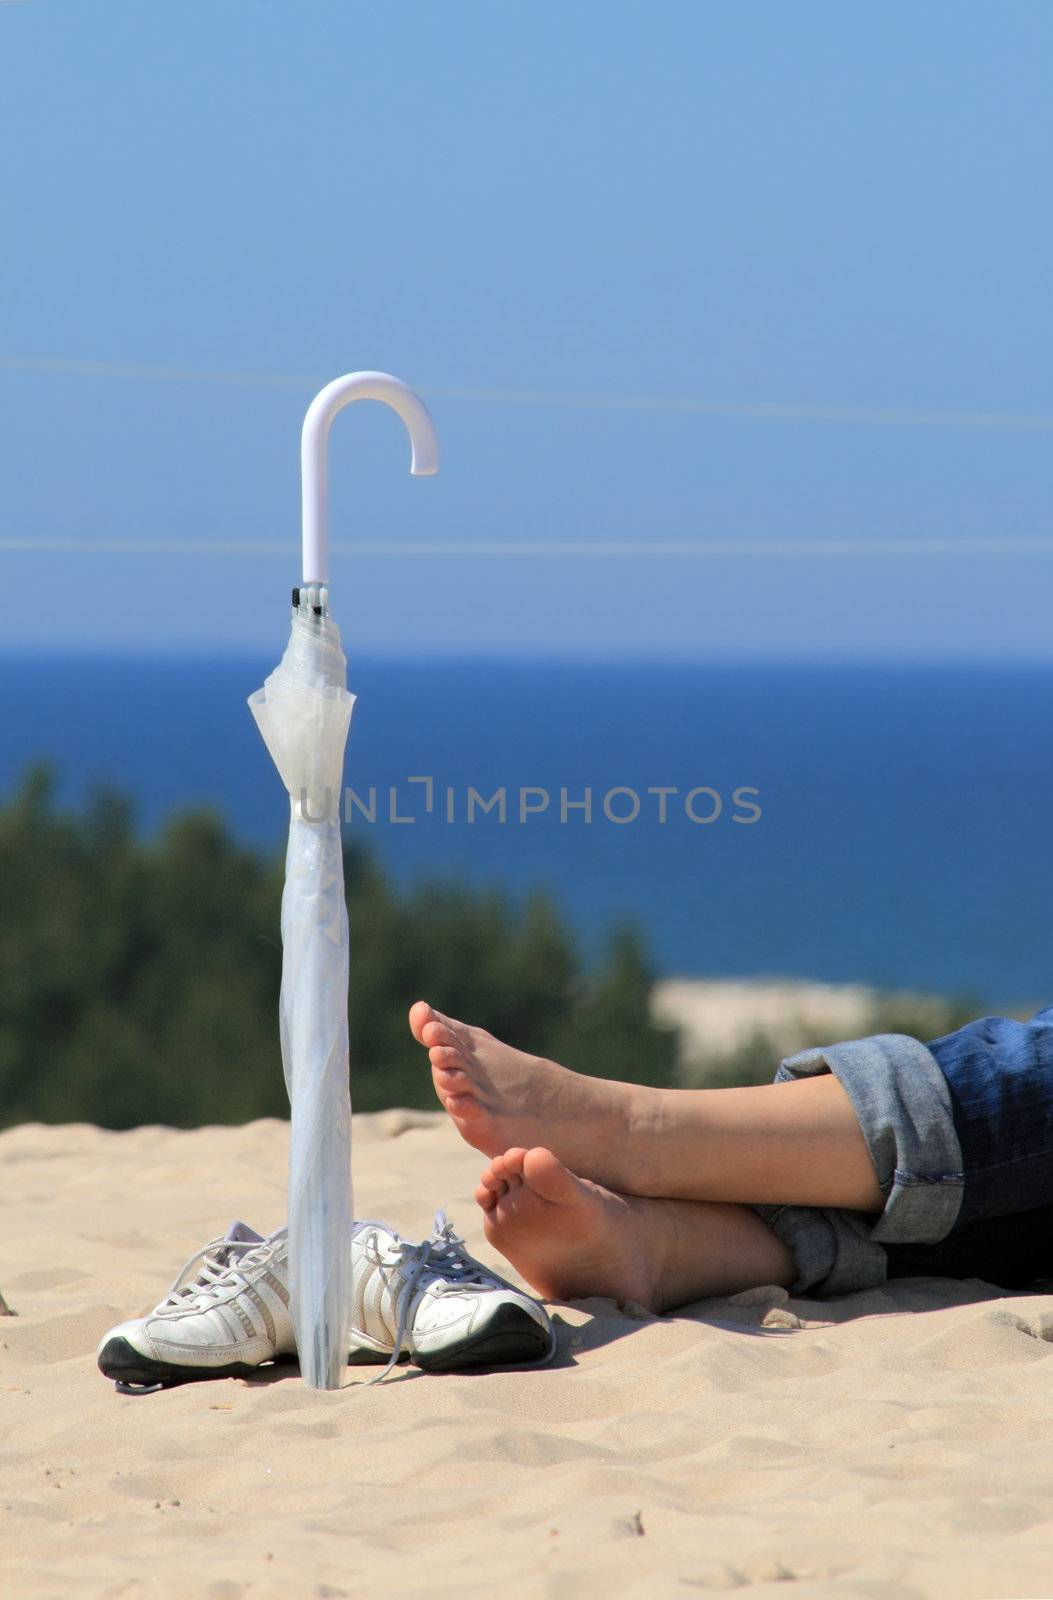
(905, 810)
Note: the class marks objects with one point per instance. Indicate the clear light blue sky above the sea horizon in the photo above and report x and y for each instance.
(604, 241)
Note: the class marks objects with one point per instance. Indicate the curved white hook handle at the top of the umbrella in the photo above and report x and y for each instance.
(314, 462)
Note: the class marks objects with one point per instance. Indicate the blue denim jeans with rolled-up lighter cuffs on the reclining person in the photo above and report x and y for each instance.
(961, 1135)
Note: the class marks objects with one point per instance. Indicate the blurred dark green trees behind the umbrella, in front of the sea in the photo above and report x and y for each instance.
(140, 978)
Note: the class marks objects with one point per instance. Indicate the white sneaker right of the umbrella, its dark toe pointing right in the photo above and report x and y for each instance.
(439, 1306)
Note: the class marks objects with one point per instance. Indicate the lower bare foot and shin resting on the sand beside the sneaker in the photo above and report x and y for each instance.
(572, 1238)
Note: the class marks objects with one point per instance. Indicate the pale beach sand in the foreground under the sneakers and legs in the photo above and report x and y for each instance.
(892, 1444)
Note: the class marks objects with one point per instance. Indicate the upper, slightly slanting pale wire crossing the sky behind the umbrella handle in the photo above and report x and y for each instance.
(558, 399)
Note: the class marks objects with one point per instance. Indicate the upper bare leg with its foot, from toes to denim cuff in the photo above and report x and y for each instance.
(783, 1143)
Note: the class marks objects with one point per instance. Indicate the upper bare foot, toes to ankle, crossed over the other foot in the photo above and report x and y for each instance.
(502, 1098)
